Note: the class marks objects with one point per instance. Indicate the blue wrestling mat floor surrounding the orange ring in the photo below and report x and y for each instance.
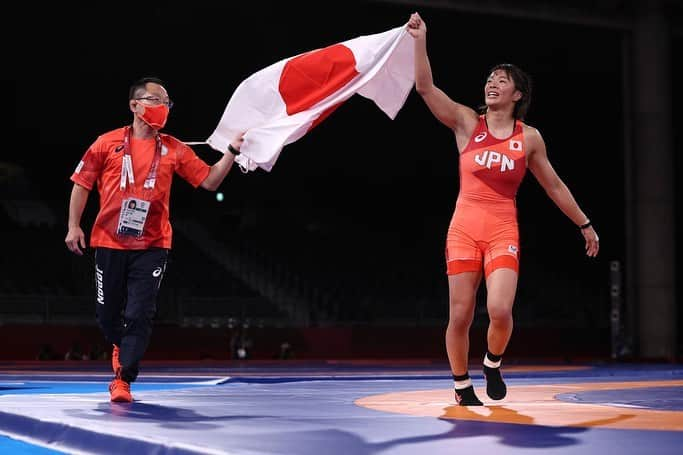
(299, 408)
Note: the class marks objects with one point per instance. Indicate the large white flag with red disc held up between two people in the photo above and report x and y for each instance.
(282, 102)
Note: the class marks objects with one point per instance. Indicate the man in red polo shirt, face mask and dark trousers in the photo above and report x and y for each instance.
(133, 168)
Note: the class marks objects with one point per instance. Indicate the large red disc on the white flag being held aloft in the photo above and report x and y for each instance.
(312, 77)
